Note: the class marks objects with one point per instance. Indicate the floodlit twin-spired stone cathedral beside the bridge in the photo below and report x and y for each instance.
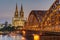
(18, 19)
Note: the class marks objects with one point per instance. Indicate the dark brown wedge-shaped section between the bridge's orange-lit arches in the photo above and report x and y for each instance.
(39, 14)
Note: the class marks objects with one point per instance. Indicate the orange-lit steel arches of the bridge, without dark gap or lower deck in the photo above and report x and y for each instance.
(50, 22)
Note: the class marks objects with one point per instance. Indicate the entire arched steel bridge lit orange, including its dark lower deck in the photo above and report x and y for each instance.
(43, 22)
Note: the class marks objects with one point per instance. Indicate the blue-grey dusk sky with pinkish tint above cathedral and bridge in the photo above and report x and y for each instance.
(7, 7)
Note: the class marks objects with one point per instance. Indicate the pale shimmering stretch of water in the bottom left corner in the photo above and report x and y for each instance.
(7, 37)
